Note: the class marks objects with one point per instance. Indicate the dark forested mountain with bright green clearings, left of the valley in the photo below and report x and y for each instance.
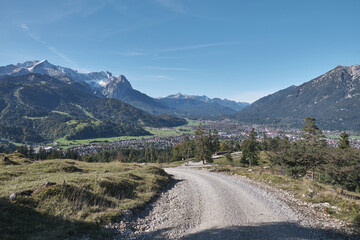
(36, 107)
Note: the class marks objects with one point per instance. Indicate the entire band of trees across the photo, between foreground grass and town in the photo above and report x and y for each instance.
(310, 156)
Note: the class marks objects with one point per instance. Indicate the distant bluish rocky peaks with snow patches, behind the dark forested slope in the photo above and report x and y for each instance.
(104, 84)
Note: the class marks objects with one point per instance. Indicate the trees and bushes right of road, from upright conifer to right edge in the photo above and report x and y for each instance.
(310, 156)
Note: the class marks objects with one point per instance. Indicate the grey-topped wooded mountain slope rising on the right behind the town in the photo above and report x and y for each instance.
(332, 98)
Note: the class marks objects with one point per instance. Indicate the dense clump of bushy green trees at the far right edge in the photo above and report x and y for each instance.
(339, 166)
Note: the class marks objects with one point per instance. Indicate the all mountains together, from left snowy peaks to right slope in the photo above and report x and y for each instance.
(41, 101)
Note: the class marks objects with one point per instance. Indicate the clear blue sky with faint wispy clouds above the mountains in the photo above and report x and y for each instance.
(240, 50)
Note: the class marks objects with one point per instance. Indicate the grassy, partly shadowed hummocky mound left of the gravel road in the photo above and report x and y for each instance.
(93, 194)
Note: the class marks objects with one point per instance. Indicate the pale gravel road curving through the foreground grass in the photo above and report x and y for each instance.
(207, 205)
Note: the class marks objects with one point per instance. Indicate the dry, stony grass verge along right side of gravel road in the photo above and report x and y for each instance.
(336, 202)
